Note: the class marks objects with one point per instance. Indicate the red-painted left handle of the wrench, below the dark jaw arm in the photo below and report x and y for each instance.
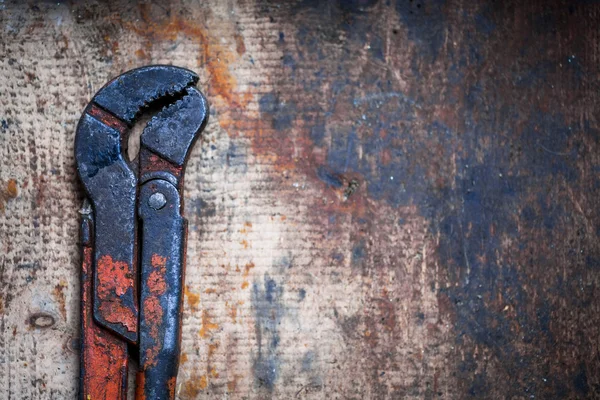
(104, 357)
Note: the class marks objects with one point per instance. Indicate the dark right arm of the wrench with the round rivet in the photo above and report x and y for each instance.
(163, 234)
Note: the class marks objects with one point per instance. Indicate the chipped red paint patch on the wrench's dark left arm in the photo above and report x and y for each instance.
(114, 280)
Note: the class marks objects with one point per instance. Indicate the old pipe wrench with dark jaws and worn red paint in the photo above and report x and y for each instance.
(133, 212)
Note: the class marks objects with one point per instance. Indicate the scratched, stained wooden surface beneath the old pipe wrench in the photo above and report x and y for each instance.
(391, 200)
